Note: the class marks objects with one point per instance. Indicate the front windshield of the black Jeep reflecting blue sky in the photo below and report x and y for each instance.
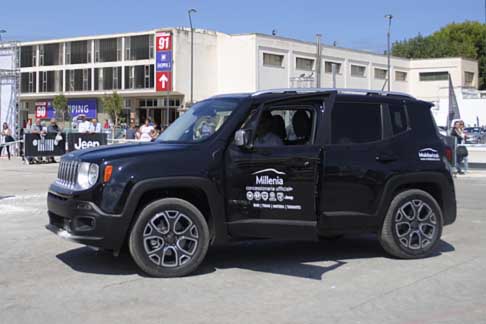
(201, 121)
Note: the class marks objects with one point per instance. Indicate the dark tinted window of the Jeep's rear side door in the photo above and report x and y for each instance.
(354, 123)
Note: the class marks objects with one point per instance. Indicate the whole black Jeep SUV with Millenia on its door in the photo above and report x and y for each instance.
(283, 164)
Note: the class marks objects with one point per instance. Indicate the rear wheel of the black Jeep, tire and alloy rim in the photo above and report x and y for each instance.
(408, 210)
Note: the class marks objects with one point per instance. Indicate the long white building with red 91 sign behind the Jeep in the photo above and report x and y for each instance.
(151, 70)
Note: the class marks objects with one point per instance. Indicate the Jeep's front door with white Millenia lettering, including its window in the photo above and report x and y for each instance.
(271, 187)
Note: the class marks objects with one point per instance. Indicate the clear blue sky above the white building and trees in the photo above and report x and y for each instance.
(357, 24)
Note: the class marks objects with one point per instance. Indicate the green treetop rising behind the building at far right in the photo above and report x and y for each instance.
(466, 40)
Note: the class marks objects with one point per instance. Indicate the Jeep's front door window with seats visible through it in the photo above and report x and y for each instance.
(285, 126)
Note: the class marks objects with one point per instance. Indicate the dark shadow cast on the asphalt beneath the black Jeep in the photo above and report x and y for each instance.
(310, 260)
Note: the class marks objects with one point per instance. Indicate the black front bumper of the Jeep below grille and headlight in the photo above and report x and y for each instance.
(83, 222)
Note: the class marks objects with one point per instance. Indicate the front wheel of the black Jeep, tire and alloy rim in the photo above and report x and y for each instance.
(154, 239)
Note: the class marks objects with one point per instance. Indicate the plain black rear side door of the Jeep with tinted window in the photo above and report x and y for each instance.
(358, 160)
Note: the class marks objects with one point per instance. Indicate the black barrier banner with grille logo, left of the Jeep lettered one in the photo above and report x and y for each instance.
(47, 145)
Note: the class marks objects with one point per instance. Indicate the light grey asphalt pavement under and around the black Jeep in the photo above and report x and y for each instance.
(44, 279)
